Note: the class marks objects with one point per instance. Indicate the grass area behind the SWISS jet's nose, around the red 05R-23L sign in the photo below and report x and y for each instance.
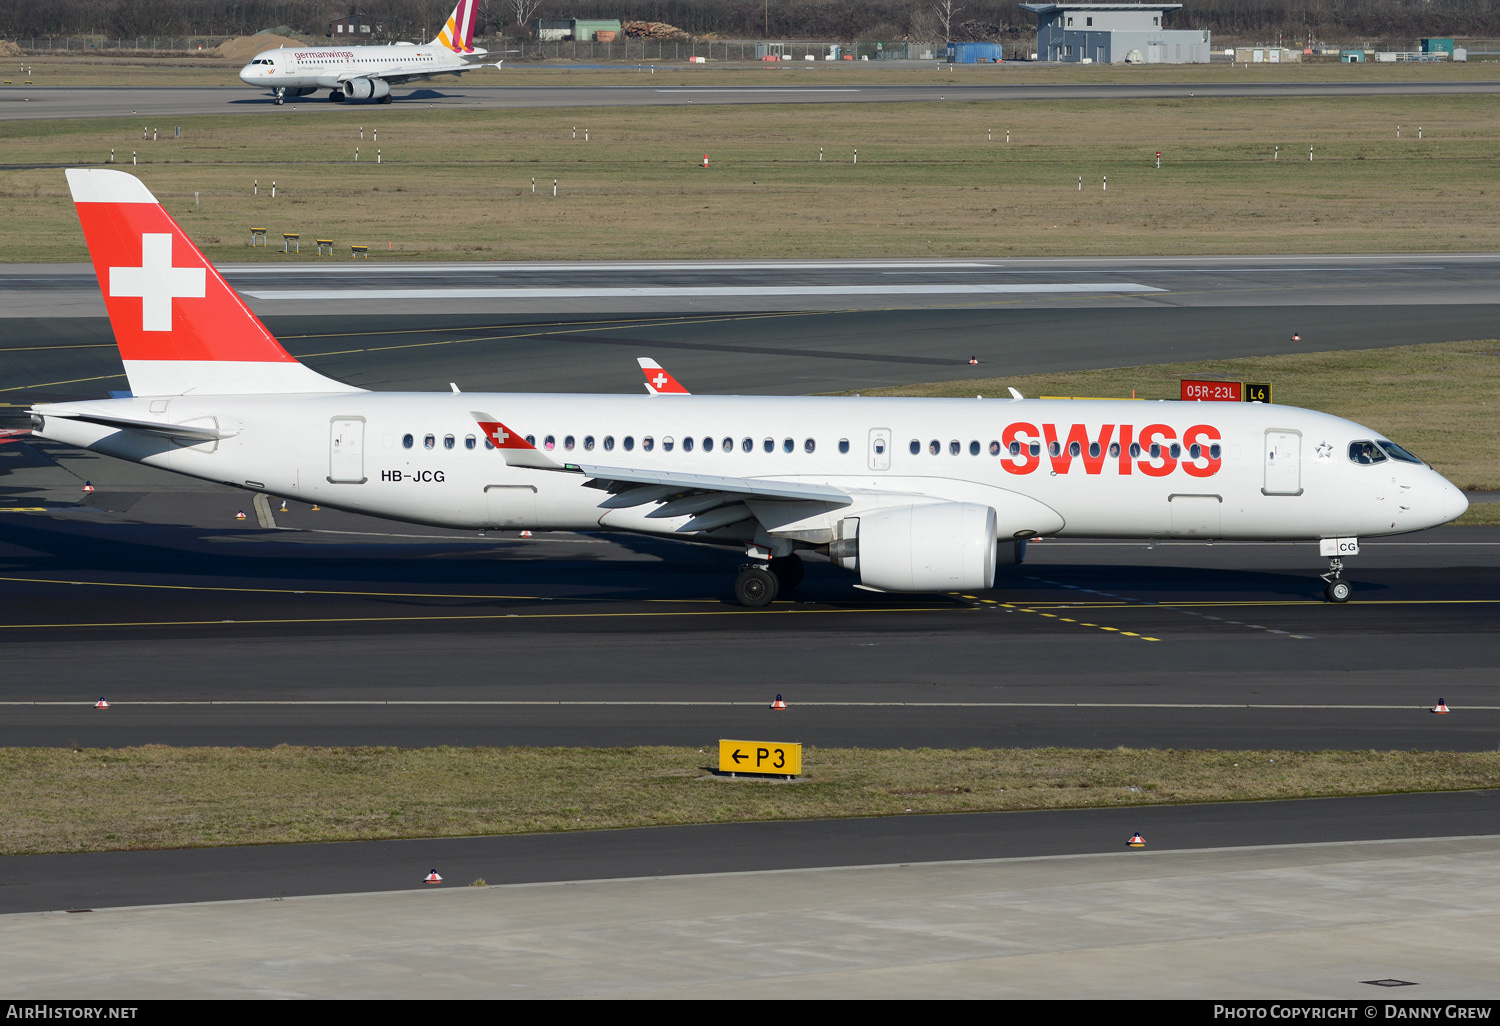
(1442, 401)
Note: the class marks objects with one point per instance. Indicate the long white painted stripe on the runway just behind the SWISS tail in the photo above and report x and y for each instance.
(956, 289)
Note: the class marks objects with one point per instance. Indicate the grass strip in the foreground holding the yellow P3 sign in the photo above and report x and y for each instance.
(161, 797)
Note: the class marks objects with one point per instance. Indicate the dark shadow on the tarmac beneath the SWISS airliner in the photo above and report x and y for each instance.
(620, 568)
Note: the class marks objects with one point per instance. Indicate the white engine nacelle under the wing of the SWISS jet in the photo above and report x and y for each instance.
(940, 547)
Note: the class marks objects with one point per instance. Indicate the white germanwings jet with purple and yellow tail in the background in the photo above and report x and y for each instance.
(368, 73)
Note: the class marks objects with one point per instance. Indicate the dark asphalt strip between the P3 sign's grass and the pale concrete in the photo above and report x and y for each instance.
(112, 880)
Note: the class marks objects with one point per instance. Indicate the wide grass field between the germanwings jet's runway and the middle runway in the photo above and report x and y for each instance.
(928, 182)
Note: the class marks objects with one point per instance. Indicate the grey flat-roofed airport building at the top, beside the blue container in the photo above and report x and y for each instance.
(1115, 34)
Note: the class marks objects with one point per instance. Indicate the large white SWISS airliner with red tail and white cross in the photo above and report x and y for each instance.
(908, 494)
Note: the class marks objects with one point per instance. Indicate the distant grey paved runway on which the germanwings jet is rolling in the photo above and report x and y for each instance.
(65, 103)
